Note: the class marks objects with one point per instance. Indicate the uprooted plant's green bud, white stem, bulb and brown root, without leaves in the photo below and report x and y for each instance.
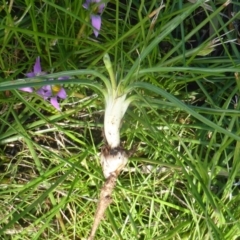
(113, 156)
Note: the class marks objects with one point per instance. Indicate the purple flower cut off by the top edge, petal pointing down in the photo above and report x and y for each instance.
(95, 17)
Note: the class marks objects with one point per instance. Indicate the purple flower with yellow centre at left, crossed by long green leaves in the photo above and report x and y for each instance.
(48, 91)
